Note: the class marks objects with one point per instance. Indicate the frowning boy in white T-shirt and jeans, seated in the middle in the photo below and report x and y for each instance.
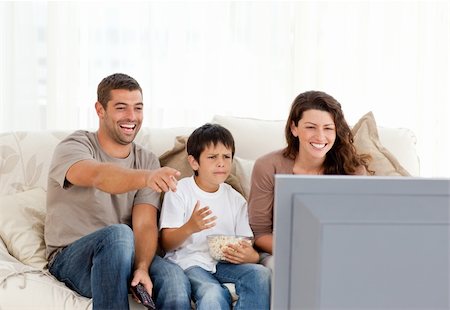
(204, 205)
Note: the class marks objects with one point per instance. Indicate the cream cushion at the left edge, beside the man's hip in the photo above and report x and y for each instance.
(22, 226)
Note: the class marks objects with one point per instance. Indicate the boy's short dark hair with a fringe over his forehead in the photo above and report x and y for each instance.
(208, 134)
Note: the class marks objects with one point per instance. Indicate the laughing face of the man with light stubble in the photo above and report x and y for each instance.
(123, 116)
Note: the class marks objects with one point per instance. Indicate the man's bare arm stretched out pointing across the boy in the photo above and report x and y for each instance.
(114, 179)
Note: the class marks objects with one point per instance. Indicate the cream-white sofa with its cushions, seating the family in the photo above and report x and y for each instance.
(24, 161)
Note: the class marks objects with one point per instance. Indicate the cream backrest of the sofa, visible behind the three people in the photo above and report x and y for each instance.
(25, 156)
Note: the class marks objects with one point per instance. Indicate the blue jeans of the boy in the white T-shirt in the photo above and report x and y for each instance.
(252, 283)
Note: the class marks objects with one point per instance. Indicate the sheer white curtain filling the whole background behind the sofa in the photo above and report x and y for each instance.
(197, 59)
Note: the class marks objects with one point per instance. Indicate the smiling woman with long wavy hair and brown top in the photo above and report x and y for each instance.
(319, 141)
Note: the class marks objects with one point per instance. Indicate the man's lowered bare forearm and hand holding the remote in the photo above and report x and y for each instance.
(144, 221)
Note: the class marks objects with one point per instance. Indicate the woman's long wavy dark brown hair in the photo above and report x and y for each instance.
(342, 158)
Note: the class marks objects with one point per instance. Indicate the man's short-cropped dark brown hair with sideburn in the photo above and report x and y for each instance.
(115, 81)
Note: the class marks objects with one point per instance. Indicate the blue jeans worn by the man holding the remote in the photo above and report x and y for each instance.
(100, 265)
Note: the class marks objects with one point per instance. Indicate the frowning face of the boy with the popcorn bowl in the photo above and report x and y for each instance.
(213, 167)
